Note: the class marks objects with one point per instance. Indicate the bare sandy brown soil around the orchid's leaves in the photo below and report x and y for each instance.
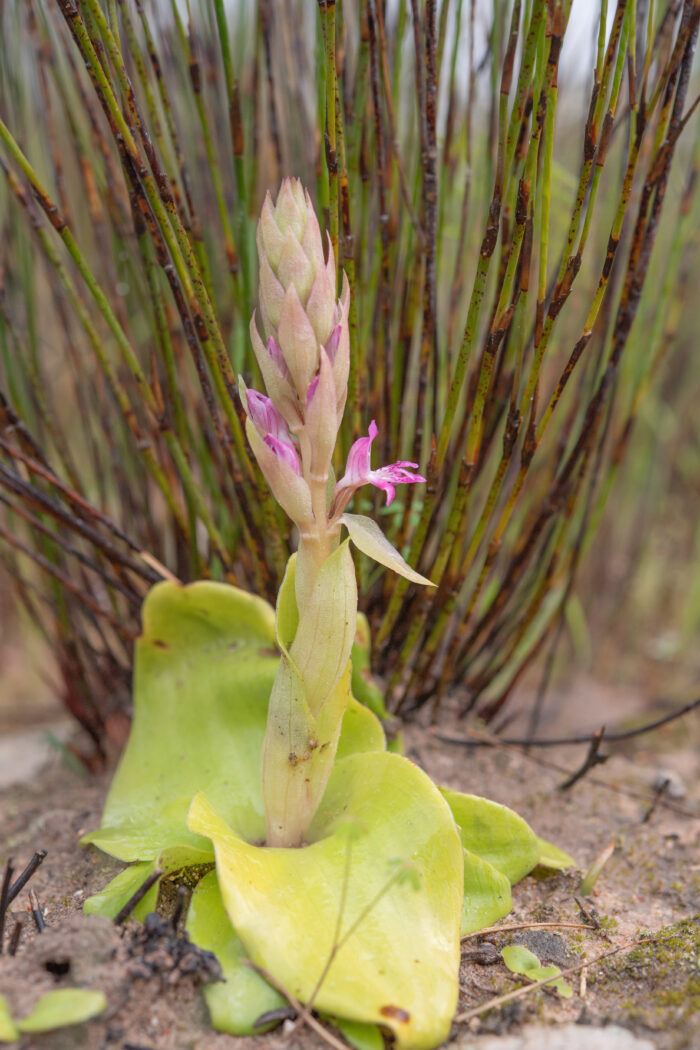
(651, 886)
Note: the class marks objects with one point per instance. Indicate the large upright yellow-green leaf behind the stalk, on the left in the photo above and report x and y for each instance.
(205, 667)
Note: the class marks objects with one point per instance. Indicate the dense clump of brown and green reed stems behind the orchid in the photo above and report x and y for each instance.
(513, 192)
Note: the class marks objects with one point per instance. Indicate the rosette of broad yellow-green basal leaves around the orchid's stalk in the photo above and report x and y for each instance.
(394, 871)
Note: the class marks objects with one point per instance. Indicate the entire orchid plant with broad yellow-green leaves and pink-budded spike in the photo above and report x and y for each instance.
(342, 871)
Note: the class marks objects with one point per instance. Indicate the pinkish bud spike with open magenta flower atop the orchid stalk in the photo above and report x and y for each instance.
(304, 354)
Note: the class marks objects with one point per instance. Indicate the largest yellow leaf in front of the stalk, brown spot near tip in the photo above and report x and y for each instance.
(398, 960)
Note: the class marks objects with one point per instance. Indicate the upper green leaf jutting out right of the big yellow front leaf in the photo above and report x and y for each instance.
(496, 834)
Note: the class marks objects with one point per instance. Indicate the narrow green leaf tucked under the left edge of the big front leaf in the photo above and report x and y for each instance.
(243, 997)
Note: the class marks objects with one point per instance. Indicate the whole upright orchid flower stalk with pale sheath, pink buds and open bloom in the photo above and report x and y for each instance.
(304, 354)
